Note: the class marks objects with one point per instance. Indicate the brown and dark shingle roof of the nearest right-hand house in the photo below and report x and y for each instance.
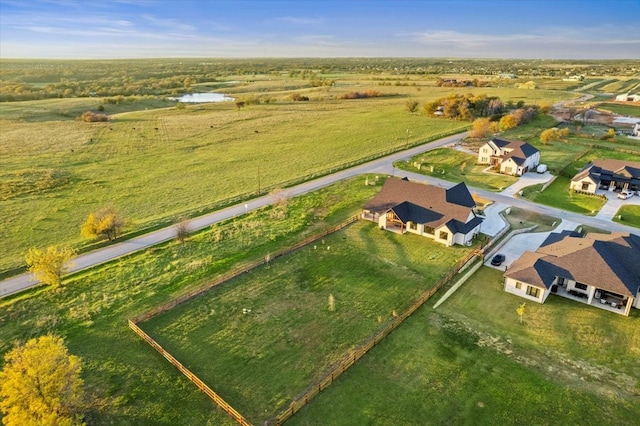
(607, 261)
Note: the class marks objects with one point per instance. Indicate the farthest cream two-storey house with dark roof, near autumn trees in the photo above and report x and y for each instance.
(510, 157)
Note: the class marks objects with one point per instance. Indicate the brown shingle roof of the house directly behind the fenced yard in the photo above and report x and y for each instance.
(426, 204)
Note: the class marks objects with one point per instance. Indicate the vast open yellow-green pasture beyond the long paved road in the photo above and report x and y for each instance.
(155, 163)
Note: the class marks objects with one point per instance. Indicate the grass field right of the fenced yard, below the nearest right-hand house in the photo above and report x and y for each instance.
(471, 362)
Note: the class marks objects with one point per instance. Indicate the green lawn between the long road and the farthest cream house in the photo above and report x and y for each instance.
(456, 166)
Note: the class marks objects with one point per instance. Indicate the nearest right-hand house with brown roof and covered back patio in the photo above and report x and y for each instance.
(601, 270)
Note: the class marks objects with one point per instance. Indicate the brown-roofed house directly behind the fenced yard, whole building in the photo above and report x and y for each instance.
(446, 215)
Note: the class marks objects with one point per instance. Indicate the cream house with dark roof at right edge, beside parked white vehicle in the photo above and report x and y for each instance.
(607, 174)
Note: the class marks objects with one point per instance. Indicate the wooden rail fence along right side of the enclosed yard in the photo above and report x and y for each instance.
(354, 355)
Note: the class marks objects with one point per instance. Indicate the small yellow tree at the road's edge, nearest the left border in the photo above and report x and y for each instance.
(48, 266)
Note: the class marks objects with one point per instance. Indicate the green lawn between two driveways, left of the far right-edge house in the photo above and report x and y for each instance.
(558, 195)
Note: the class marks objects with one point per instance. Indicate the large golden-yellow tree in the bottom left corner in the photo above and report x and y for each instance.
(40, 384)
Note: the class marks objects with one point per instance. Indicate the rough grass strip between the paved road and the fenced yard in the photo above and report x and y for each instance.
(127, 382)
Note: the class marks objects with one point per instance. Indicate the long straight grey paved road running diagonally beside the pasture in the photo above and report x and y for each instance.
(24, 281)
